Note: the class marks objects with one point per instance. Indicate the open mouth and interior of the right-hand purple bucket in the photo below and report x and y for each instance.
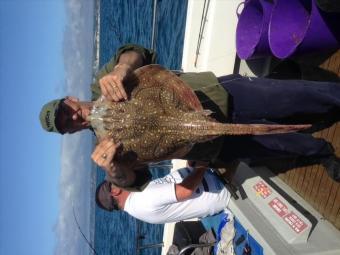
(288, 26)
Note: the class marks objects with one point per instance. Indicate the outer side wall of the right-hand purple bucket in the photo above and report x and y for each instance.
(323, 32)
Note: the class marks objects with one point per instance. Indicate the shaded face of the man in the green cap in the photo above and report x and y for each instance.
(71, 116)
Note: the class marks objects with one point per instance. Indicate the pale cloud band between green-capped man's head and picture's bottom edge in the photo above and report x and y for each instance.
(76, 190)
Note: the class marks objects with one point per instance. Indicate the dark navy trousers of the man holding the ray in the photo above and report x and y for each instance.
(261, 100)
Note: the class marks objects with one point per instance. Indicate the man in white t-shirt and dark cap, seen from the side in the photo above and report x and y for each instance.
(190, 192)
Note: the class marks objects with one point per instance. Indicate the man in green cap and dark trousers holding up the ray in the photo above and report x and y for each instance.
(231, 98)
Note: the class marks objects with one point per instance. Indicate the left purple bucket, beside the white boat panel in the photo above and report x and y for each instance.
(252, 29)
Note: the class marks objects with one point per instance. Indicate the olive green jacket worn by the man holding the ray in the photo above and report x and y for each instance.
(205, 85)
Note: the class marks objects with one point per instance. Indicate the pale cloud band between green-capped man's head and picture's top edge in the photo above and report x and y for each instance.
(78, 47)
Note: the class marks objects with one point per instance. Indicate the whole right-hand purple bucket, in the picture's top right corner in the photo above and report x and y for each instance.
(299, 26)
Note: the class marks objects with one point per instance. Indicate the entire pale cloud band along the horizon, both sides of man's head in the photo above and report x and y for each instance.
(77, 177)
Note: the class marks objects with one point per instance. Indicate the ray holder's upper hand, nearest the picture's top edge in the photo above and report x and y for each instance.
(111, 85)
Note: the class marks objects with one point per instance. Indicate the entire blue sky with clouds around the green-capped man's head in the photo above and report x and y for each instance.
(46, 49)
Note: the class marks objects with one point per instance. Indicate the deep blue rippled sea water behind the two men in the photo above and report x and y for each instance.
(130, 21)
